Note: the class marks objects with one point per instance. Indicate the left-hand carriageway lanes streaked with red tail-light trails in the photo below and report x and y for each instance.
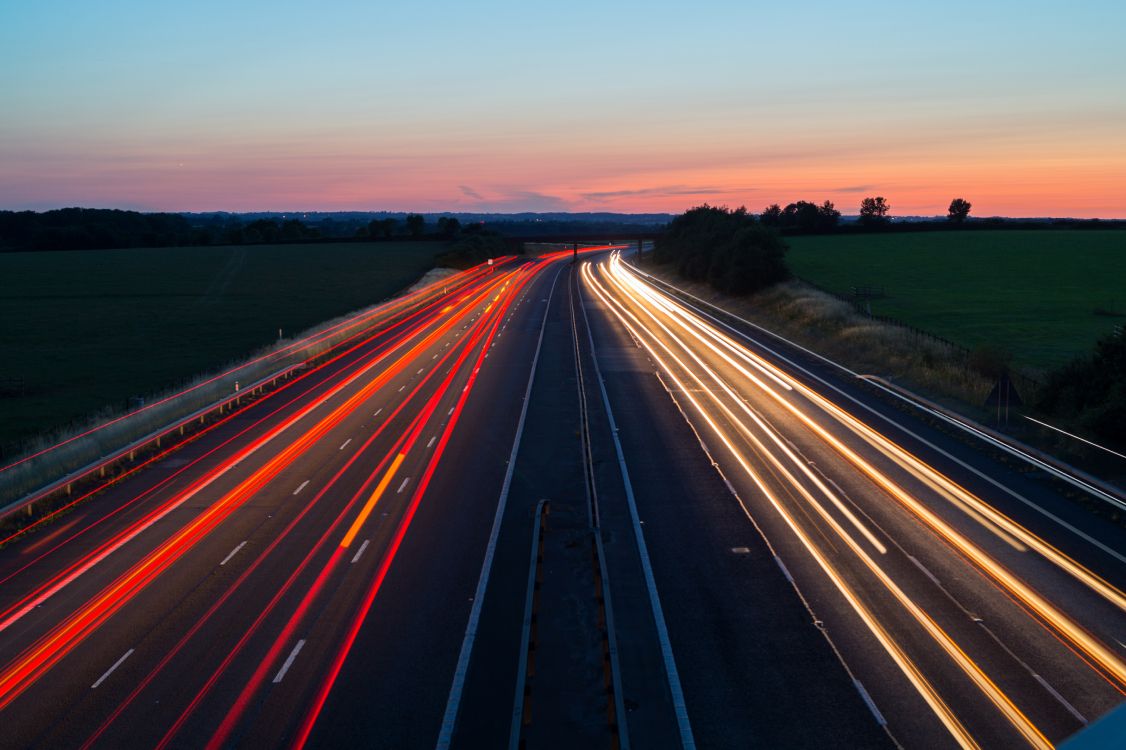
(213, 599)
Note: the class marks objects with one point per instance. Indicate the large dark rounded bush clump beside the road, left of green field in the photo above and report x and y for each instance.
(729, 249)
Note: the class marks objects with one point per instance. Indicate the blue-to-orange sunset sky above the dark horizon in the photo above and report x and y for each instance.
(1020, 108)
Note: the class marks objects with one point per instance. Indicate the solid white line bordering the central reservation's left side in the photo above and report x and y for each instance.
(461, 672)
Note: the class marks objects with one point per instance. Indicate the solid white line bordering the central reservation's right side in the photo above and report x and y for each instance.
(680, 707)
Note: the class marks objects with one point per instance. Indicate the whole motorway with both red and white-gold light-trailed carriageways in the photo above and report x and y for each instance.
(557, 506)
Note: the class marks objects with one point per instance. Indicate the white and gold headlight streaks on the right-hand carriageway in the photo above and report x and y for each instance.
(680, 342)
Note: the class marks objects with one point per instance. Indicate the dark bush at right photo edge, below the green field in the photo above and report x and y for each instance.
(1091, 392)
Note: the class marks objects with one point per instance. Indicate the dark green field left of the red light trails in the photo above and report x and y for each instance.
(85, 331)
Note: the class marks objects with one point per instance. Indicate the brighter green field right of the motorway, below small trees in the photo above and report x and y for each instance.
(1045, 296)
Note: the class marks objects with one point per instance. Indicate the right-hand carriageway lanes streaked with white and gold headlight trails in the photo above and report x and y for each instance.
(964, 626)
